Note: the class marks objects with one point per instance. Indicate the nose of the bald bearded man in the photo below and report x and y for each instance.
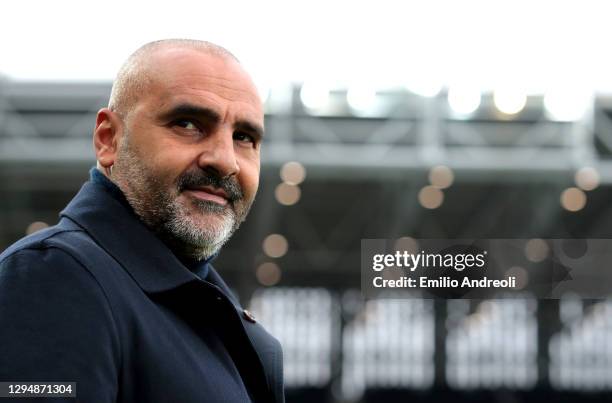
(218, 154)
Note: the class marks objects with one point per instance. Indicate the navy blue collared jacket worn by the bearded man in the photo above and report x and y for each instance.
(99, 300)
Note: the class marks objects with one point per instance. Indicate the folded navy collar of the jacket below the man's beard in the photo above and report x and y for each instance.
(114, 226)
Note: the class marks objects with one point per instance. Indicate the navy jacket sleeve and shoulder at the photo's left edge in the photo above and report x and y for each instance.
(59, 323)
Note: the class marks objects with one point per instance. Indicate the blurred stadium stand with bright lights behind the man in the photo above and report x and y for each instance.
(438, 155)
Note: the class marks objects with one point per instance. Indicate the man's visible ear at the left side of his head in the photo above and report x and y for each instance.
(109, 128)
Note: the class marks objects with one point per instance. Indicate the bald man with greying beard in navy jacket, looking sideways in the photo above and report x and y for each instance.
(119, 297)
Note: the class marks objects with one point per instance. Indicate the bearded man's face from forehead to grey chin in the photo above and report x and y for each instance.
(188, 159)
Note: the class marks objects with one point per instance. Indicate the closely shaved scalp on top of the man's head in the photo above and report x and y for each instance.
(135, 74)
